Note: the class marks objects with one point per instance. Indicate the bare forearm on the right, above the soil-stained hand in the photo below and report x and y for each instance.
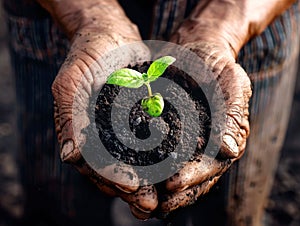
(229, 22)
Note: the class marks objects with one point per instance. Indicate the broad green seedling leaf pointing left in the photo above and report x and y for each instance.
(126, 77)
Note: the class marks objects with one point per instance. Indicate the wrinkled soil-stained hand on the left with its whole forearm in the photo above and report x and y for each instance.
(99, 29)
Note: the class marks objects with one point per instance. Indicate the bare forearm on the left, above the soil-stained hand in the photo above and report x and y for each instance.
(95, 15)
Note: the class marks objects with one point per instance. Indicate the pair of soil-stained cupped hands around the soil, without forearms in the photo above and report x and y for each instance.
(83, 73)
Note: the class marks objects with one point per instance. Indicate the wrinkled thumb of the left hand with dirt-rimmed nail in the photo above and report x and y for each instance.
(82, 74)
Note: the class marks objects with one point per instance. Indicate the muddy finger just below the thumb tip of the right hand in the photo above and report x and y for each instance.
(197, 171)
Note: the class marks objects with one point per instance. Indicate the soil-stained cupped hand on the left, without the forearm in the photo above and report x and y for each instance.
(83, 73)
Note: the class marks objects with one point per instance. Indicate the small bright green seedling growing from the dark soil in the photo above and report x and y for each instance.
(153, 104)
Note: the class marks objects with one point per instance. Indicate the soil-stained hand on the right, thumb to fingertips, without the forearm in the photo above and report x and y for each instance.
(200, 174)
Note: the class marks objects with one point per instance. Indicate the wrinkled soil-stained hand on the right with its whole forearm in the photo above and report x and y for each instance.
(216, 31)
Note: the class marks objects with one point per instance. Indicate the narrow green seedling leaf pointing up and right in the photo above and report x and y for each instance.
(158, 67)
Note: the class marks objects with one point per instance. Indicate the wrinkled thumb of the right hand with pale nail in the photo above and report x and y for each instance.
(236, 87)
